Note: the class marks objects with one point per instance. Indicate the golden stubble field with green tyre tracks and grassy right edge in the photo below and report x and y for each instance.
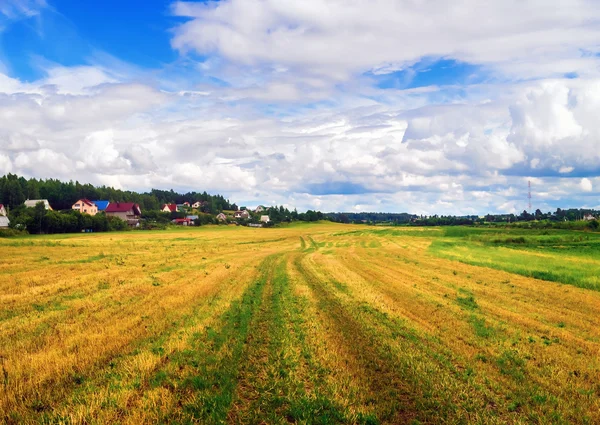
(314, 324)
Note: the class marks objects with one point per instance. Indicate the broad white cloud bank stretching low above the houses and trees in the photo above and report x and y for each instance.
(432, 159)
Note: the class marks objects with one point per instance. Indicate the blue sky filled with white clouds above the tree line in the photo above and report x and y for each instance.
(427, 107)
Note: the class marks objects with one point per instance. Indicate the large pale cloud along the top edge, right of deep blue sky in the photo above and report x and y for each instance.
(338, 38)
